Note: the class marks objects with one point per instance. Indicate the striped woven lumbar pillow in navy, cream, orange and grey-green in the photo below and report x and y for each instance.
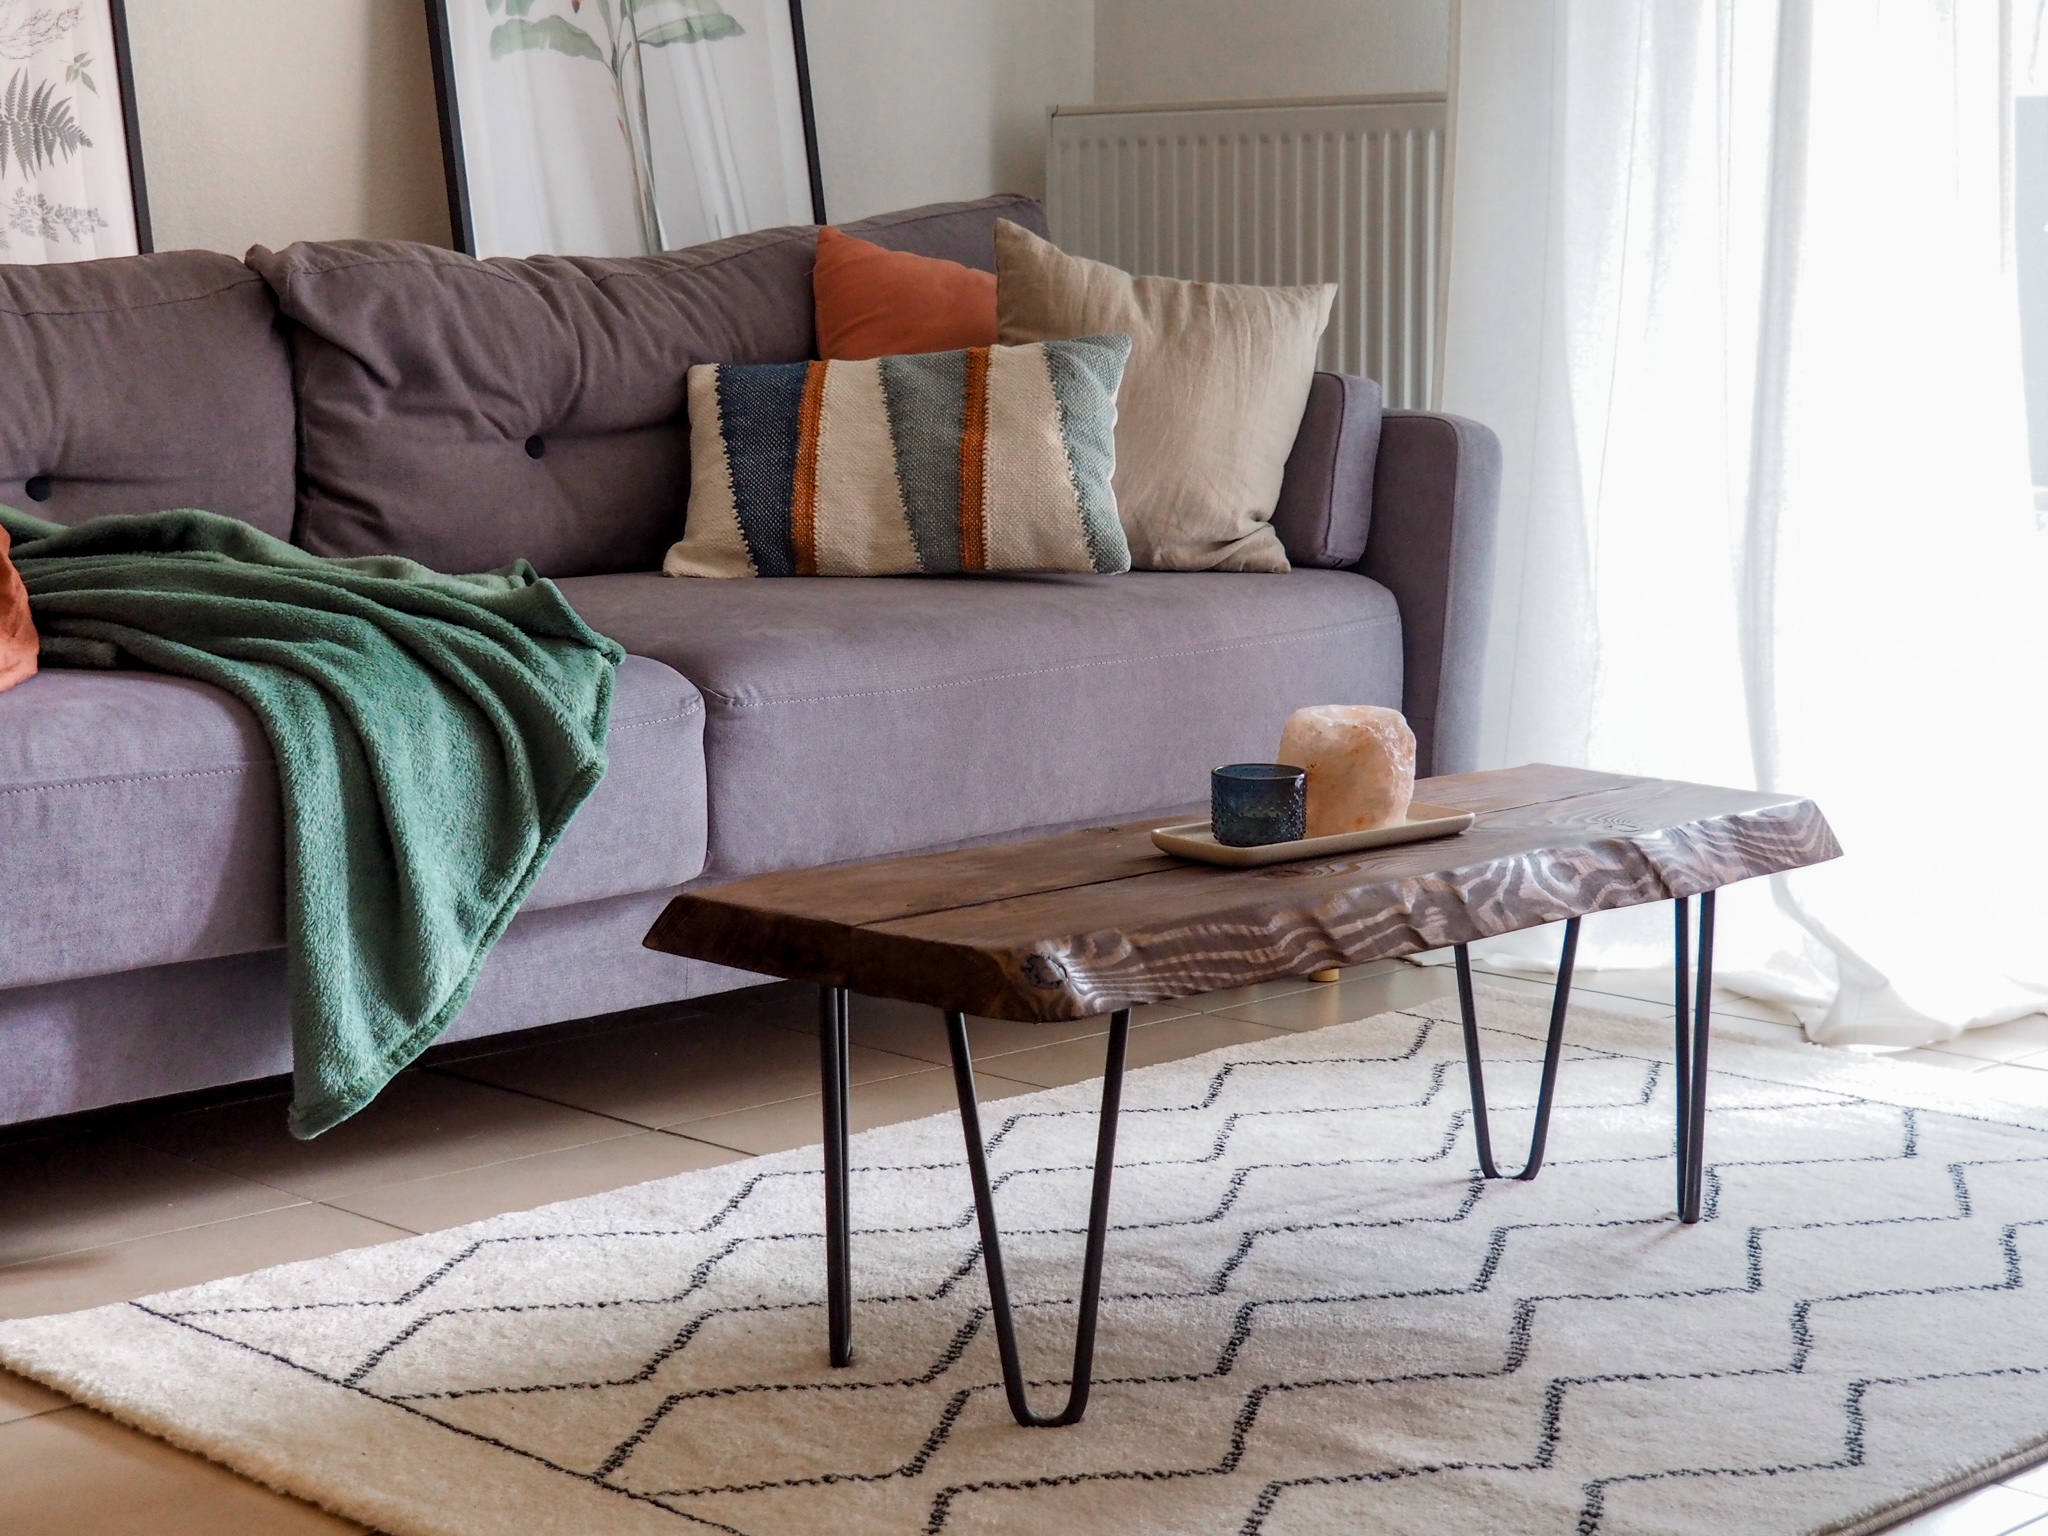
(990, 460)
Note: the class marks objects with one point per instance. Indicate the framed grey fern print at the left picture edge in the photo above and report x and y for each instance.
(71, 157)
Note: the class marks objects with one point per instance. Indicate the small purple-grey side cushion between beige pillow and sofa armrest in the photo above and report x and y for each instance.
(1326, 499)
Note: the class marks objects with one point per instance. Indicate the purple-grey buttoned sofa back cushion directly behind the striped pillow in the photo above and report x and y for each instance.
(474, 413)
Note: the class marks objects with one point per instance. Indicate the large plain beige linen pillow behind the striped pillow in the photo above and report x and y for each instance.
(1211, 400)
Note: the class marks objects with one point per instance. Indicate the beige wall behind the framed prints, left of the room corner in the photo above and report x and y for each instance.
(269, 122)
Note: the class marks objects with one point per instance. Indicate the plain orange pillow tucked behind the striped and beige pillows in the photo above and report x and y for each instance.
(876, 302)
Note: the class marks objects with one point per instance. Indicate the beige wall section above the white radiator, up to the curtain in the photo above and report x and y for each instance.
(1248, 50)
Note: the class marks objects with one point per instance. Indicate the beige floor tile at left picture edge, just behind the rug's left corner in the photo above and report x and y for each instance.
(169, 1261)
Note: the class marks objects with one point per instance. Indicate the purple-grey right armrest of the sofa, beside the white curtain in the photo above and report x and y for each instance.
(1435, 507)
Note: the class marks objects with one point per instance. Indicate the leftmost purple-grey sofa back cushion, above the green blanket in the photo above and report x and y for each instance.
(144, 384)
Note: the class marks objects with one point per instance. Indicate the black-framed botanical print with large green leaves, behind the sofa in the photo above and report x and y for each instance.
(622, 128)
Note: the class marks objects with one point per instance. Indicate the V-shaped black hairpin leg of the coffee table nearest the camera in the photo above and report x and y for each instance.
(992, 1242)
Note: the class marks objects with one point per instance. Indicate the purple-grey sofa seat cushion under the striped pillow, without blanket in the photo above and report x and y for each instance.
(869, 716)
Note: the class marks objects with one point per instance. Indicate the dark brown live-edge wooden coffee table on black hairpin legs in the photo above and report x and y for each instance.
(1101, 923)
